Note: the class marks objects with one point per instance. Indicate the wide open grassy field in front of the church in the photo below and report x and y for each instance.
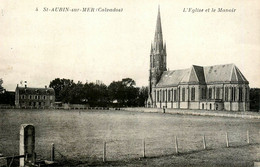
(79, 136)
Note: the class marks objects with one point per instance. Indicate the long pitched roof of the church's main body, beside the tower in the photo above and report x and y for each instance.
(227, 73)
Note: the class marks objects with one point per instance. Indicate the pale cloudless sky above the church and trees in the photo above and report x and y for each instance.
(38, 46)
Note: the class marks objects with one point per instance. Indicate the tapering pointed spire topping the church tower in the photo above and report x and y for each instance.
(158, 37)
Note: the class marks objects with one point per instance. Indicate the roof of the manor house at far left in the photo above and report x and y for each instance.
(35, 91)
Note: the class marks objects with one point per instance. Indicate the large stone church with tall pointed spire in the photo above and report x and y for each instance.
(217, 87)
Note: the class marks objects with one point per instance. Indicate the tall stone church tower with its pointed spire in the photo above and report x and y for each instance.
(157, 59)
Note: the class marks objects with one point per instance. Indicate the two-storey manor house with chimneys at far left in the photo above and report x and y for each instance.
(28, 97)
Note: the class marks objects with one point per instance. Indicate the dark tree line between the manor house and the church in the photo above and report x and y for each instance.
(122, 93)
